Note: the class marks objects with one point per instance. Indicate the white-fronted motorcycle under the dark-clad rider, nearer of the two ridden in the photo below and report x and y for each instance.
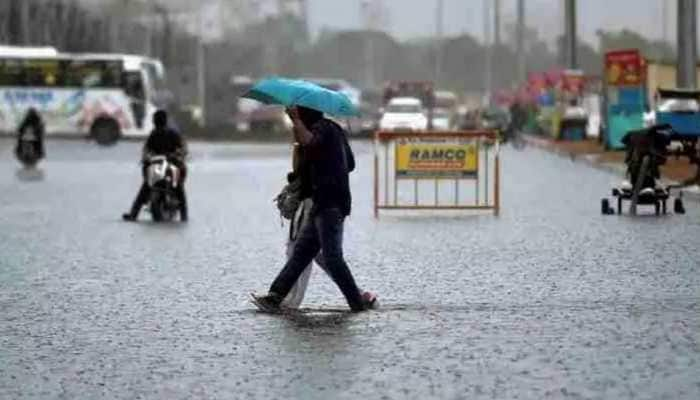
(163, 178)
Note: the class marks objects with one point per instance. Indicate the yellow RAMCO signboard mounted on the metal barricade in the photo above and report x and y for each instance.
(436, 160)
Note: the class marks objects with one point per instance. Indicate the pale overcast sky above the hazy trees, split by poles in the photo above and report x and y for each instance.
(415, 18)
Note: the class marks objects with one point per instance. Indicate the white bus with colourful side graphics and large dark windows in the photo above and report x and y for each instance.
(102, 96)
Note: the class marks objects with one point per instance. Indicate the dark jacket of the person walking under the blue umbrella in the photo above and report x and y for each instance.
(329, 160)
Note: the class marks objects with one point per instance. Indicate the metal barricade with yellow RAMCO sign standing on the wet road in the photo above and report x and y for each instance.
(461, 159)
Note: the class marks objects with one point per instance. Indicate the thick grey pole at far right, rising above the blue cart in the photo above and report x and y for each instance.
(687, 44)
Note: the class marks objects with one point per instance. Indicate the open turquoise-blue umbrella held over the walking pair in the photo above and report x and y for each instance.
(294, 92)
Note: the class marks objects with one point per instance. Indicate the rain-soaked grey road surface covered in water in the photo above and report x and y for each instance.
(550, 300)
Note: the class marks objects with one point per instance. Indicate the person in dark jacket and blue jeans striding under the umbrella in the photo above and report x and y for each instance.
(327, 152)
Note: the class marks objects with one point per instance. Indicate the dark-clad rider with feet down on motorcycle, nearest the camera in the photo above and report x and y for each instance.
(166, 142)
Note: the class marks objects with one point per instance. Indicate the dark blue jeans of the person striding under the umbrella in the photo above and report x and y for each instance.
(324, 234)
